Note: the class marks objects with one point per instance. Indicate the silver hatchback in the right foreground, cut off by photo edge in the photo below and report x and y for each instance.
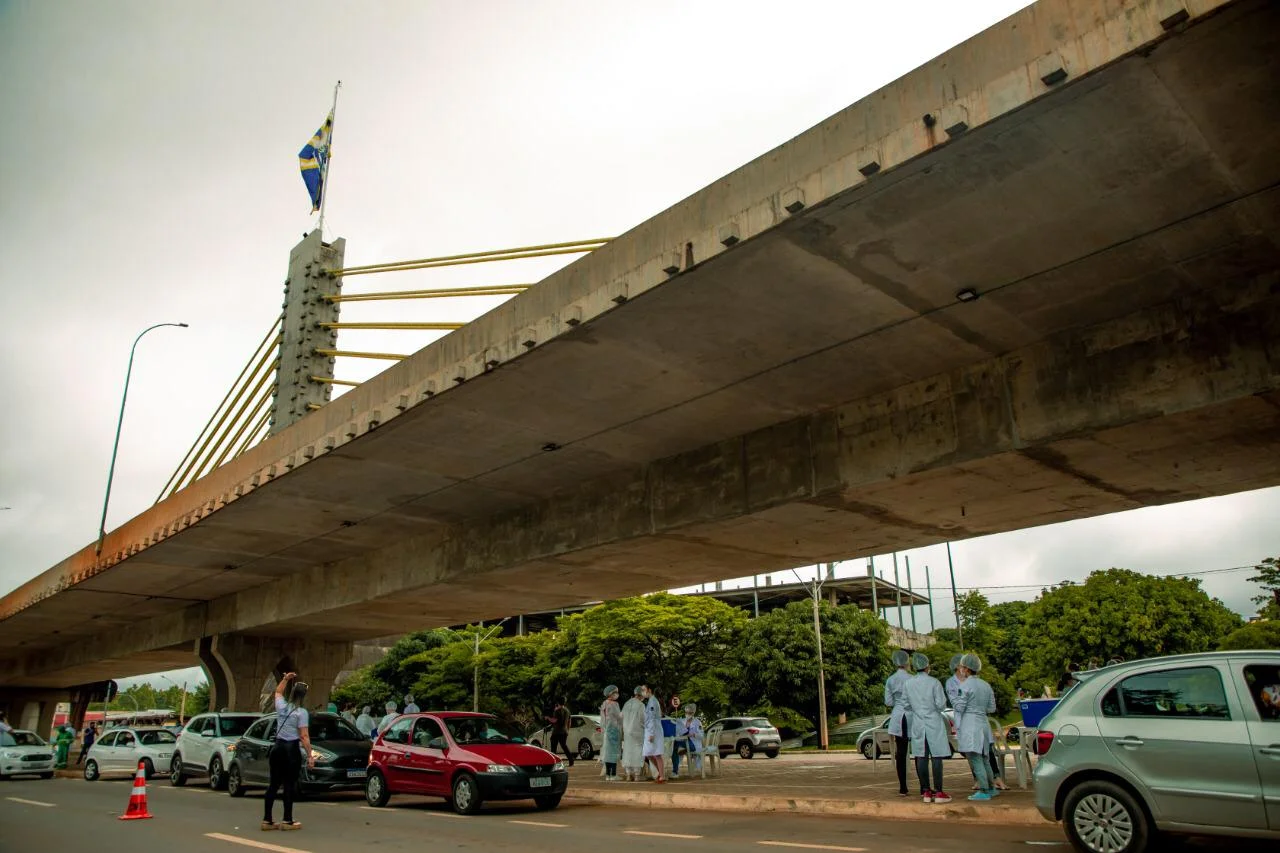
(1169, 745)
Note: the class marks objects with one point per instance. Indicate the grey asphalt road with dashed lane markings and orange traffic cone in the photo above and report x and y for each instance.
(71, 815)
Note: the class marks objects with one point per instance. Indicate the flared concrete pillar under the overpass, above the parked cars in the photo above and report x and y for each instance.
(244, 670)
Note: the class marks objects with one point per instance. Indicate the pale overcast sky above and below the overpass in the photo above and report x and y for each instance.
(150, 176)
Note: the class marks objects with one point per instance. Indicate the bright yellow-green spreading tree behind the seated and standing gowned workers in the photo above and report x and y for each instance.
(669, 642)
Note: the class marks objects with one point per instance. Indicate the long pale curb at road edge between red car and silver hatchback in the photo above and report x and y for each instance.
(963, 813)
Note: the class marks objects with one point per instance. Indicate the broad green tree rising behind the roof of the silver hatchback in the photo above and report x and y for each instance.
(1118, 614)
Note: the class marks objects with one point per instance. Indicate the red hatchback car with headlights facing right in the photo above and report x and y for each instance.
(463, 758)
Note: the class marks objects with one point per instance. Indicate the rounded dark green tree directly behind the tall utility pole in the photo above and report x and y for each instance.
(778, 665)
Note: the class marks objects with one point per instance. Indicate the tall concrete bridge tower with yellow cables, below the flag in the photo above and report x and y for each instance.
(301, 335)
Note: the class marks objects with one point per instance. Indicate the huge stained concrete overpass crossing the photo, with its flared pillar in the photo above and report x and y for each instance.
(787, 368)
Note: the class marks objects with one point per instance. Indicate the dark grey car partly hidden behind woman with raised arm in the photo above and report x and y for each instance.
(340, 750)
